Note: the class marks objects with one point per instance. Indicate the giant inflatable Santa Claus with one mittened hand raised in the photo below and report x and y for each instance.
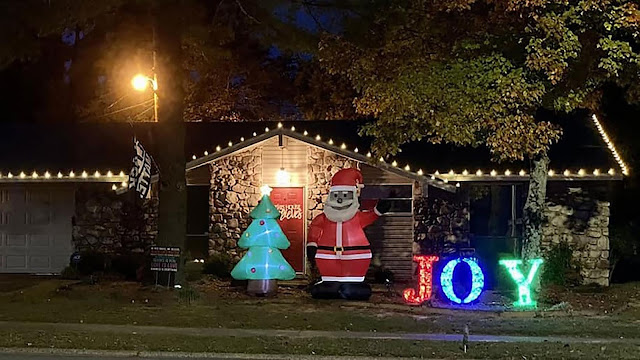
(337, 244)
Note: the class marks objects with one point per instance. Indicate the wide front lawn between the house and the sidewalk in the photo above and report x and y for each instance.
(53, 300)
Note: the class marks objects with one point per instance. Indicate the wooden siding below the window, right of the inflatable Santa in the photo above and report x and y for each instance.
(391, 239)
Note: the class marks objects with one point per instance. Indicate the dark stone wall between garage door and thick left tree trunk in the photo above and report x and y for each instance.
(111, 223)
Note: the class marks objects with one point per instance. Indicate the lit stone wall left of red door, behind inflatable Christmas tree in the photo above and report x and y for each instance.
(235, 190)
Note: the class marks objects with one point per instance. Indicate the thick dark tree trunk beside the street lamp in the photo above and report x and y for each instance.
(172, 212)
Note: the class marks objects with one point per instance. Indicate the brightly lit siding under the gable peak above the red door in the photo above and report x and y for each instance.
(293, 156)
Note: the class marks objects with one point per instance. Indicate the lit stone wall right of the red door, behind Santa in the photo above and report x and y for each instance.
(322, 166)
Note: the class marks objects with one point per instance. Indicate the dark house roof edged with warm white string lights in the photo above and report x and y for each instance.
(102, 147)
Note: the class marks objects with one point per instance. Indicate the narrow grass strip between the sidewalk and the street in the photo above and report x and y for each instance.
(345, 347)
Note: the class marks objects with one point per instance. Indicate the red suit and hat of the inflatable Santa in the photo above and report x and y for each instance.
(344, 253)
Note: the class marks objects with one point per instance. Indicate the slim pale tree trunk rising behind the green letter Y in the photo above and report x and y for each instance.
(534, 207)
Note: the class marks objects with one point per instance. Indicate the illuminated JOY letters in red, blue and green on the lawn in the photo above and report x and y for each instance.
(425, 280)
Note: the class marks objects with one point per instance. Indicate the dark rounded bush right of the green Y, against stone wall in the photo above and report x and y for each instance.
(559, 267)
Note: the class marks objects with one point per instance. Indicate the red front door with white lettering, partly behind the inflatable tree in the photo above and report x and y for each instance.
(290, 204)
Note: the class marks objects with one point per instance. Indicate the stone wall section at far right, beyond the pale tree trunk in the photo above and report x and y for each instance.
(580, 219)
